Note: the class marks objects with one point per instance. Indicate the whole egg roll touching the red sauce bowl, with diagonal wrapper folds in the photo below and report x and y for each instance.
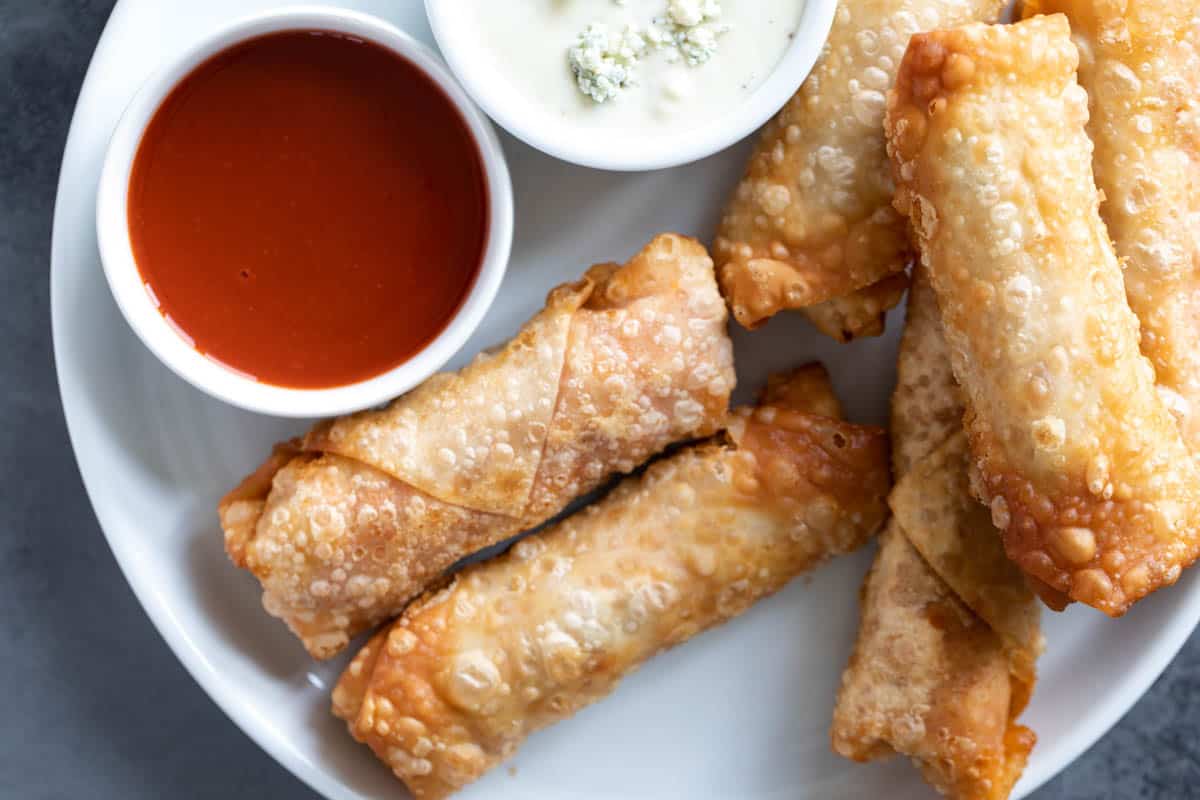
(346, 526)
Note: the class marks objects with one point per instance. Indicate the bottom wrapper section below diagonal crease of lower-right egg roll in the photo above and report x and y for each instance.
(929, 679)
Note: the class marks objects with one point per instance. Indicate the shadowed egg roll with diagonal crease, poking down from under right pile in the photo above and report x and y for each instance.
(950, 634)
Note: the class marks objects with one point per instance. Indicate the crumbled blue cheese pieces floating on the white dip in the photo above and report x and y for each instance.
(605, 63)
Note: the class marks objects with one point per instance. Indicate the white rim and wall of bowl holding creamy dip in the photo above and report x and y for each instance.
(533, 123)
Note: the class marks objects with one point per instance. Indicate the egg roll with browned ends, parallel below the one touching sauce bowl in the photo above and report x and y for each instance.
(530, 639)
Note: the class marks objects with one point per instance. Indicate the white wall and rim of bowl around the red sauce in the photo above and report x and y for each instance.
(155, 332)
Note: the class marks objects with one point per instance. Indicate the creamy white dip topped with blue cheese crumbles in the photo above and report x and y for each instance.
(628, 65)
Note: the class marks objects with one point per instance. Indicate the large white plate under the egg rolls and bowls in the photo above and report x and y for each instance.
(741, 713)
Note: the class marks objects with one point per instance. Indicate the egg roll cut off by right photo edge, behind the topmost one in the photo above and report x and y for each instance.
(1141, 65)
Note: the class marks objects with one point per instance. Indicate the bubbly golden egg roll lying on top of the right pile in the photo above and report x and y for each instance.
(1083, 464)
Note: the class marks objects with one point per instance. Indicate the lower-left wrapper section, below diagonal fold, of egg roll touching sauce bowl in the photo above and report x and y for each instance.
(340, 548)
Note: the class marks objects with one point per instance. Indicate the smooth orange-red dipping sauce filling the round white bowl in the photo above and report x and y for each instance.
(309, 209)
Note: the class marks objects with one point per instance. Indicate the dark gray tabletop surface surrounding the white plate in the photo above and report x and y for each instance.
(93, 705)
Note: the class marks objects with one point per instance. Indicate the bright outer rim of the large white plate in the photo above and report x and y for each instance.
(1109, 709)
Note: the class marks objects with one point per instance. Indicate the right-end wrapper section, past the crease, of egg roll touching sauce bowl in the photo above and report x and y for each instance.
(649, 364)
